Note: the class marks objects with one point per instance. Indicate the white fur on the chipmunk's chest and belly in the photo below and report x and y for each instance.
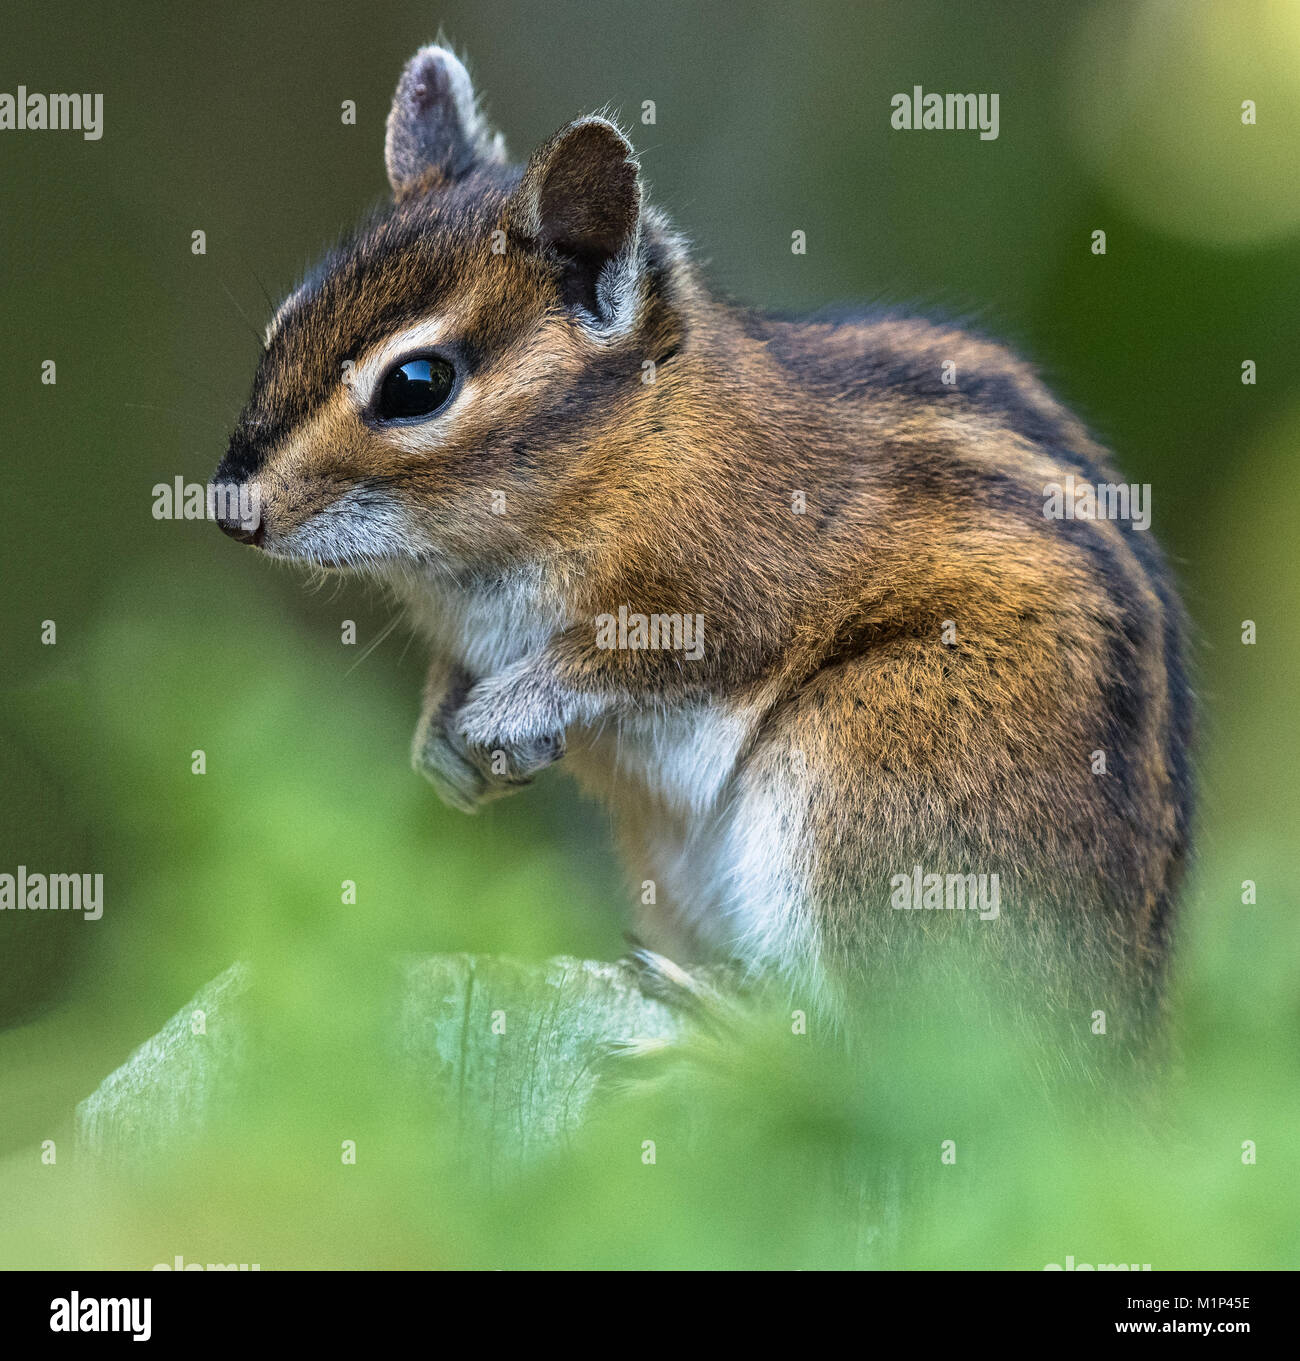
(714, 830)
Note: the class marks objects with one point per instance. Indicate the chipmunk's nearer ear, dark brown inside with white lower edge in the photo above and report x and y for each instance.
(581, 198)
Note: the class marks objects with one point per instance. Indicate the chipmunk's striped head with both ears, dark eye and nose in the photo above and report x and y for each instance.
(432, 393)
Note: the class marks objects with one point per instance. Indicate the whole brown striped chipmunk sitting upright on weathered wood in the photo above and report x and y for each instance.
(514, 398)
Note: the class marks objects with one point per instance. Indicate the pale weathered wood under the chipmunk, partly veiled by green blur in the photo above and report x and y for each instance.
(519, 1092)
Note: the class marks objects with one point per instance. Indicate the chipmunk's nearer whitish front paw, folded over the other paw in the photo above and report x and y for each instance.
(510, 727)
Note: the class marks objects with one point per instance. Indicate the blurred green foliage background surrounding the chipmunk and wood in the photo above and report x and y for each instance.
(770, 118)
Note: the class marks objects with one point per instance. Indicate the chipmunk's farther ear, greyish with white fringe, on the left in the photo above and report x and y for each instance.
(436, 133)
